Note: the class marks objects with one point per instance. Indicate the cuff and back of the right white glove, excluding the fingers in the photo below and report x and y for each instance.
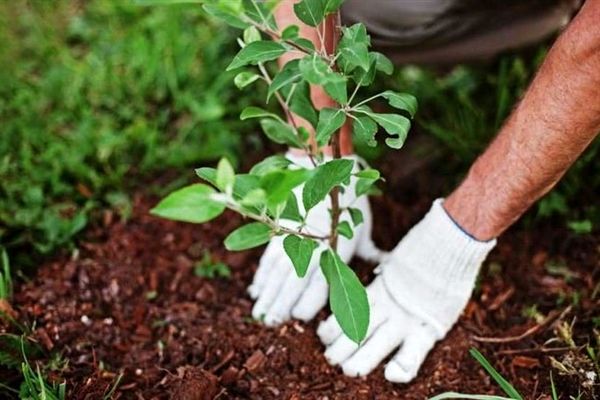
(432, 271)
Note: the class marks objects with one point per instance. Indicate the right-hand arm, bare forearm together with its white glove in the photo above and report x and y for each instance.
(426, 282)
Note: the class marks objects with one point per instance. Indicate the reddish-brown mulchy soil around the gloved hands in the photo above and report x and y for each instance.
(128, 302)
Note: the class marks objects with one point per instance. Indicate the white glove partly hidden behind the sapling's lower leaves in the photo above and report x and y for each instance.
(280, 293)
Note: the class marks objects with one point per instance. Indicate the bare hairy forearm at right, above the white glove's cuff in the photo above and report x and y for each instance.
(555, 121)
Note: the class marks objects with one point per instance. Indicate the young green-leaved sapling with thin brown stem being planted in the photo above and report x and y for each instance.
(265, 195)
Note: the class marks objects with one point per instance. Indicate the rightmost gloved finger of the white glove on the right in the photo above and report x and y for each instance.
(406, 363)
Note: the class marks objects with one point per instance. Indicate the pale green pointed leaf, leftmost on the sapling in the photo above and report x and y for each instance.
(190, 204)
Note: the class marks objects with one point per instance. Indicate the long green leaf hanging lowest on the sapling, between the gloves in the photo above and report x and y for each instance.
(347, 296)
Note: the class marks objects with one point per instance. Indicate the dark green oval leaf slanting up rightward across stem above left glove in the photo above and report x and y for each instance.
(325, 178)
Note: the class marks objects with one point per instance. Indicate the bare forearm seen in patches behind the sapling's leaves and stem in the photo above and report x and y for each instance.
(325, 38)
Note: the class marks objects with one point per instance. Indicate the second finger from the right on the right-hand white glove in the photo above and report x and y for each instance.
(381, 343)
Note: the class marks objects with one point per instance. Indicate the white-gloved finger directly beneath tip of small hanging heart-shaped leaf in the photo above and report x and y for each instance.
(290, 292)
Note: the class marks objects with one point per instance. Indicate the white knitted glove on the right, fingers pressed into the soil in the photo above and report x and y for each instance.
(424, 285)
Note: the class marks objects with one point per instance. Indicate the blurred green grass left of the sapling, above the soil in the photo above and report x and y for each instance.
(95, 97)
